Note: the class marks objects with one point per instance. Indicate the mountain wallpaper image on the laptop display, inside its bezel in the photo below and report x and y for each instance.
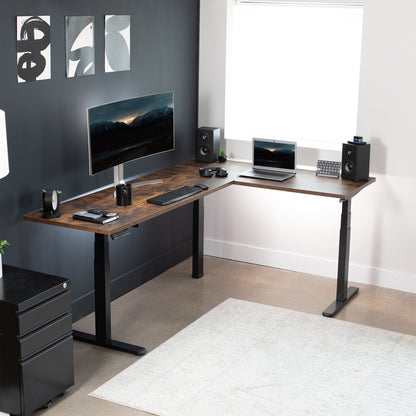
(274, 155)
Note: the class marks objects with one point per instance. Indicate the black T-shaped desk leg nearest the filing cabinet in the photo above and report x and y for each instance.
(102, 286)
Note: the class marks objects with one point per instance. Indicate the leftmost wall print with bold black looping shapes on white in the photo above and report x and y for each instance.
(33, 48)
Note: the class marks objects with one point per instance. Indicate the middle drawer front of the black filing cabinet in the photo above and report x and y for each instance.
(45, 335)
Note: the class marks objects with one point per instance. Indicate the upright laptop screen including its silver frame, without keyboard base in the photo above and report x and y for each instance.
(274, 155)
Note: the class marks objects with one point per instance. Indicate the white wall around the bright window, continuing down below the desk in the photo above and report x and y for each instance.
(300, 232)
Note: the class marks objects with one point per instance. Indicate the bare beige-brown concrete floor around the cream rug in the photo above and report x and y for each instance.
(157, 310)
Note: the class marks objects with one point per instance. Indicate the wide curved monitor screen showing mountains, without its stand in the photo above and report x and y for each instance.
(130, 129)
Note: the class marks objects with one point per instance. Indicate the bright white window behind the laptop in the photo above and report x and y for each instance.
(293, 71)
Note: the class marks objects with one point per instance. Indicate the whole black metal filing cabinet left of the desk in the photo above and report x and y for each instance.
(36, 349)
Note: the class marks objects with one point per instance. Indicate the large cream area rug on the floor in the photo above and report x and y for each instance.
(247, 359)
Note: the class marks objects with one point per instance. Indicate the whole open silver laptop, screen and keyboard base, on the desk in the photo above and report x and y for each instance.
(272, 159)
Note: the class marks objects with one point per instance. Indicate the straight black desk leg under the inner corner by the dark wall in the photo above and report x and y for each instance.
(198, 239)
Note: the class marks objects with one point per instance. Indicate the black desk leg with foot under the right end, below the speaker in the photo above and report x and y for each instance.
(344, 293)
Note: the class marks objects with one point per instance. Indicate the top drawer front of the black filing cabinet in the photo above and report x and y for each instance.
(44, 312)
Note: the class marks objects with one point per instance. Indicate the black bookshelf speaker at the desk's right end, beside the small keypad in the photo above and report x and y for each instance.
(355, 162)
